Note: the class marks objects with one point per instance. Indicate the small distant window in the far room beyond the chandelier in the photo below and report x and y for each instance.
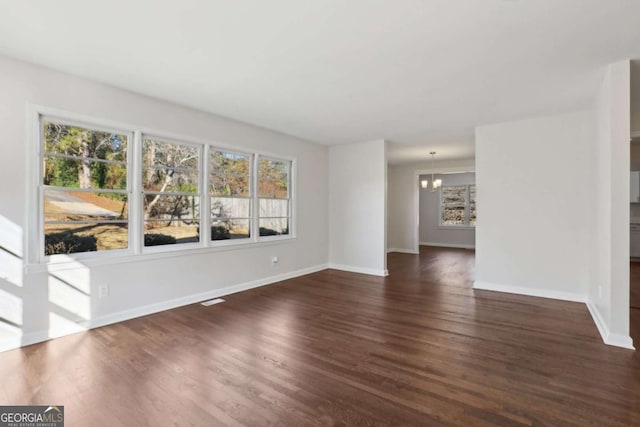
(458, 206)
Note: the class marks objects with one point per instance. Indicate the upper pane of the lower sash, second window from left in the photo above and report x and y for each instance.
(171, 207)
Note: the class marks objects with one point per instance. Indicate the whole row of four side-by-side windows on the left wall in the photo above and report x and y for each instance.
(117, 190)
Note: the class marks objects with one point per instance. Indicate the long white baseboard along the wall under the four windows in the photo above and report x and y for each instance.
(40, 336)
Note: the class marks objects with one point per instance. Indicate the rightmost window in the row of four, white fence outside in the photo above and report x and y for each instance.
(274, 196)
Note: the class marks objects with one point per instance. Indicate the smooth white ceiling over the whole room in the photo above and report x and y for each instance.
(419, 73)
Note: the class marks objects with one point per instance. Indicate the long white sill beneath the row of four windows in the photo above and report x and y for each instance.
(124, 257)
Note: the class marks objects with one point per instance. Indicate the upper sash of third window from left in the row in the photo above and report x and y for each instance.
(229, 174)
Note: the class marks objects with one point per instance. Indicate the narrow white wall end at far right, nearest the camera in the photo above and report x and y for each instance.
(609, 257)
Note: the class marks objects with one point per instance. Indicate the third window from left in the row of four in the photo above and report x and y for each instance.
(230, 195)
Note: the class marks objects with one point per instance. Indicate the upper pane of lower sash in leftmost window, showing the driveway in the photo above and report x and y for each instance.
(82, 206)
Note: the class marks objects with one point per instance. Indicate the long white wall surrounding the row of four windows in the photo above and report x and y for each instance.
(137, 286)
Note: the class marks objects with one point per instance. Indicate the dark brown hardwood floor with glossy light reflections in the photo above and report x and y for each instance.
(420, 347)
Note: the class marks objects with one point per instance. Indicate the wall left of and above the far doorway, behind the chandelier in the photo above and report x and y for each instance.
(403, 200)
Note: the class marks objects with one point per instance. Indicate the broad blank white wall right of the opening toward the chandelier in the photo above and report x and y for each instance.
(534, 196)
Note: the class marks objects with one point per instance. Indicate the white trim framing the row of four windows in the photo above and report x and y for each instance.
(34, 245)
